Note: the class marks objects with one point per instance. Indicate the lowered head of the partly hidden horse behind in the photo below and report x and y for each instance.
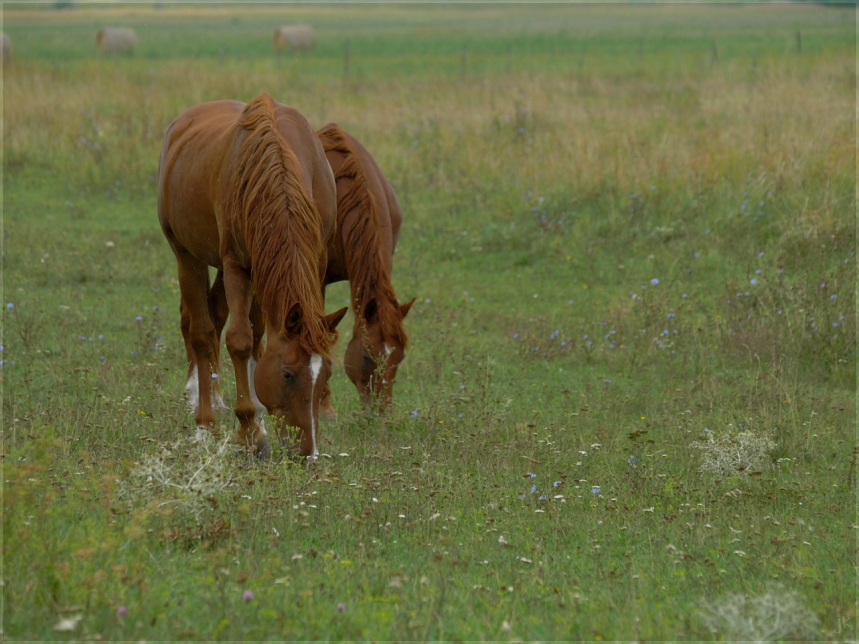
(372, 359)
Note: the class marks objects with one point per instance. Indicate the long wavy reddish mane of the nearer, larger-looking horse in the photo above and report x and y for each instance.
(282, 227)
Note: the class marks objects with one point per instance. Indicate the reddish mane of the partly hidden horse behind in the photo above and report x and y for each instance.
(369, 276)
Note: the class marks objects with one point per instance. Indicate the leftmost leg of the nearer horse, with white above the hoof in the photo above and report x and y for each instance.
(201, 341)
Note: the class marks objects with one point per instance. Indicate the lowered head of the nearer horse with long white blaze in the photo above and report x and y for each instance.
(292, 383)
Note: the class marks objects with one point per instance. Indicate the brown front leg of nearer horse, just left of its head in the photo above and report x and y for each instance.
(240, 344)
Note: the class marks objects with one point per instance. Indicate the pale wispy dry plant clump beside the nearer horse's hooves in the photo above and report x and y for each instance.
(186, 475)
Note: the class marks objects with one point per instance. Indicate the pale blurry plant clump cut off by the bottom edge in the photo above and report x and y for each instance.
(777, 614)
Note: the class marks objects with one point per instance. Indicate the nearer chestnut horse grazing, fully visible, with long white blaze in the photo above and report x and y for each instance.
(246, 188)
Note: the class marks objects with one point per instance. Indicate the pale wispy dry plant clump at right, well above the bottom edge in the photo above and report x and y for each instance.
(732, 455)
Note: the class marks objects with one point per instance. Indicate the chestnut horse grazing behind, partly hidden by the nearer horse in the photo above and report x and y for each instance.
(368, 224)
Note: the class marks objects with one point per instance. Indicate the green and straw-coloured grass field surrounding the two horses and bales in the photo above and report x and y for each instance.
(629, 406)
